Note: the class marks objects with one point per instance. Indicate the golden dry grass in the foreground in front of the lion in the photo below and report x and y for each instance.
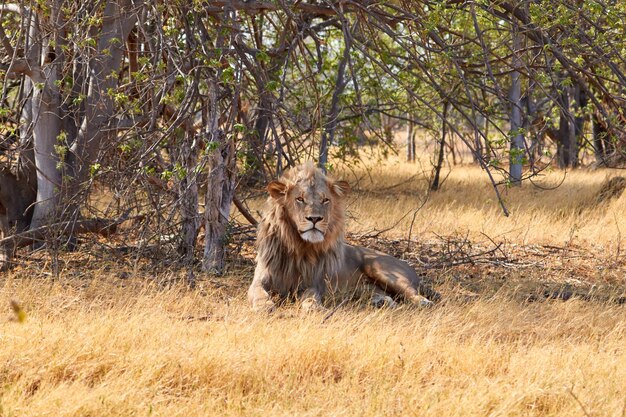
(106, 351)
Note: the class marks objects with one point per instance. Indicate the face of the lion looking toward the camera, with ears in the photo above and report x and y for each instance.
(312, 201)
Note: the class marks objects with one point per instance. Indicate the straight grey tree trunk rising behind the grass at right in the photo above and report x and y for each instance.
(515, 97)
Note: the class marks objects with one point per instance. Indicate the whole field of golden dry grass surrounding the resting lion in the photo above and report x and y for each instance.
(113, 337)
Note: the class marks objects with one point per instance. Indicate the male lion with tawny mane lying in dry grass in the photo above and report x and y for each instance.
(301, 251)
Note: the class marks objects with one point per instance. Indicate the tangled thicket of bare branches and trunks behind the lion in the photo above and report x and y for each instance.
(162, 113)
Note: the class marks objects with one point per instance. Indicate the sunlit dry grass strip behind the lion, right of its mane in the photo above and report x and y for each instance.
(566, 213)
